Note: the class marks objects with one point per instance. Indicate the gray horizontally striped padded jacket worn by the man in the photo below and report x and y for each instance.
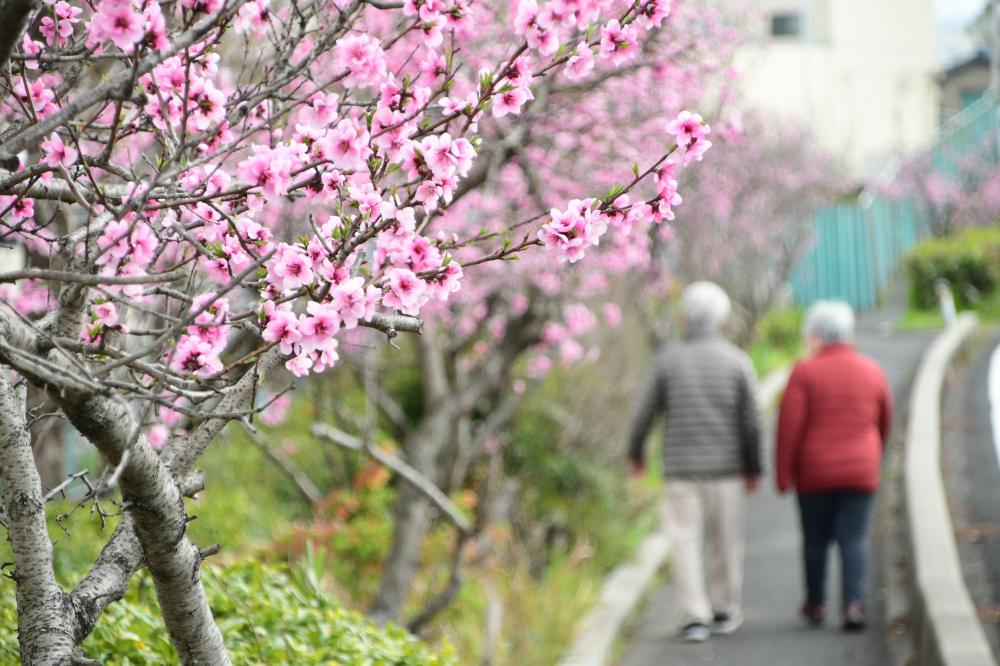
(705, 388)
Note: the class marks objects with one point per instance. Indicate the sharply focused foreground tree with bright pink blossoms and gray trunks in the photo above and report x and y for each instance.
(206, 189)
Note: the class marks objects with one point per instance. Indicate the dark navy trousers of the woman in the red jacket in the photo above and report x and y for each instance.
(842, 517)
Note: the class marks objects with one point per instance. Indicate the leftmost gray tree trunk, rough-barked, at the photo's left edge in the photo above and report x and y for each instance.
(44, 632)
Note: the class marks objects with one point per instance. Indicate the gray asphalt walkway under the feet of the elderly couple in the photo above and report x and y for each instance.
(772, 634)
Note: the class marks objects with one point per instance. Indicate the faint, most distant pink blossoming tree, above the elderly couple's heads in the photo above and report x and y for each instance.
(765, 182)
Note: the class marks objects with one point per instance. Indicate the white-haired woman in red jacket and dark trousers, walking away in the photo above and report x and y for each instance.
(832, 428)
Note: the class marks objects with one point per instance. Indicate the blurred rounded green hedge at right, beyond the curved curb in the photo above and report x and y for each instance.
(969, 260)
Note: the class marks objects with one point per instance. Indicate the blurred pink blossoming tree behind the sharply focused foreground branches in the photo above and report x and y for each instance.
(583, 125)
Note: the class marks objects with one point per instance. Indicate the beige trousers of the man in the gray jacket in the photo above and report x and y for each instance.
(699, 516)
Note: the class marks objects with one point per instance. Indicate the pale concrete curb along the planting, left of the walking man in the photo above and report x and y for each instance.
(626, 584)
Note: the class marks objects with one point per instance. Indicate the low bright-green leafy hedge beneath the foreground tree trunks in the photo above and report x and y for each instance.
(268, 615)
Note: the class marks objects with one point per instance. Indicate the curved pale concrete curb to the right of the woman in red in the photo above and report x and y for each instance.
(946, 627)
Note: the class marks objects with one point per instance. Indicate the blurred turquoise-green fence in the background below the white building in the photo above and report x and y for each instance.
(857, 245)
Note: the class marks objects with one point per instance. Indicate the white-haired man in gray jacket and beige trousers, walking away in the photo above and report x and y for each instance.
(704, 388)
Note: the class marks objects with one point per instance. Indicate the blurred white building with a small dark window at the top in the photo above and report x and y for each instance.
(860, 73)
